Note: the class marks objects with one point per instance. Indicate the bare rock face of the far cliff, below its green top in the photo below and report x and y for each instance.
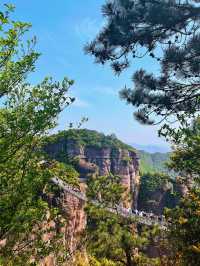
(104, 160)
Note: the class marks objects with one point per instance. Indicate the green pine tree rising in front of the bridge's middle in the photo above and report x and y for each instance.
(111, 236)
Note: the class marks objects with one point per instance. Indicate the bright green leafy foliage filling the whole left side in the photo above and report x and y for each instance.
(27, 113)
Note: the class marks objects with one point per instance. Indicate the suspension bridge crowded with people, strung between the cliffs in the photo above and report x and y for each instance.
(140, 217)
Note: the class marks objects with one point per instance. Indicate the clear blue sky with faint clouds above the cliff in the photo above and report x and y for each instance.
(62, 28)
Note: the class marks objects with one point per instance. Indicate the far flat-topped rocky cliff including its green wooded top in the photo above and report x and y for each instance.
(93, 152)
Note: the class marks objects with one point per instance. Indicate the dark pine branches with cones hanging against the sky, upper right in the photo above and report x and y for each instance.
(167, 32)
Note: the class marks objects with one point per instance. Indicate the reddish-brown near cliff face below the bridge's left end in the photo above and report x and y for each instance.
(73, 225)
